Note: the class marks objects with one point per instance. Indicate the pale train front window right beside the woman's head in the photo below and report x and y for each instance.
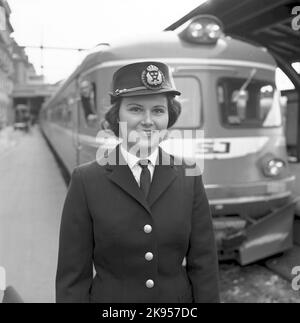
(190, 100)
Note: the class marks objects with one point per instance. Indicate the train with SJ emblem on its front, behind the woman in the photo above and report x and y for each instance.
(228, 92)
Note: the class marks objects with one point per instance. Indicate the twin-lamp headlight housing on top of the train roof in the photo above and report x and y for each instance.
(204, 29)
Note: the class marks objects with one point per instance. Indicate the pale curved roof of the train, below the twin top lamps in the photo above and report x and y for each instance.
(169, 45)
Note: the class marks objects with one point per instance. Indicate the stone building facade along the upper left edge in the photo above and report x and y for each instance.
(19, 82)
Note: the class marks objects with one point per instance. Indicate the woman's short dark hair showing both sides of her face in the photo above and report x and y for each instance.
(112, 115)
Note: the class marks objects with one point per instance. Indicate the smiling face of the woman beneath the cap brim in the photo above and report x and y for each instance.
(143, 118)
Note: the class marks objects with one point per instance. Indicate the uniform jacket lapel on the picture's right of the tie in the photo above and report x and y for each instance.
(164, 174)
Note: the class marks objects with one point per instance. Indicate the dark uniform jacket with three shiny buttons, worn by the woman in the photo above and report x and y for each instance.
(107, 222)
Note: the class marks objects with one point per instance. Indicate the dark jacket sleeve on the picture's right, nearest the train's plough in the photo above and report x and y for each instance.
(202, 262)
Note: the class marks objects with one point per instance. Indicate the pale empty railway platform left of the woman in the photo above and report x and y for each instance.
(32, 191)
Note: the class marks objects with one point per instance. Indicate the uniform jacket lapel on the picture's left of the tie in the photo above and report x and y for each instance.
(119, 172)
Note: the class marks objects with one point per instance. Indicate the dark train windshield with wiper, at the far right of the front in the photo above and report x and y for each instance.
(252, 105)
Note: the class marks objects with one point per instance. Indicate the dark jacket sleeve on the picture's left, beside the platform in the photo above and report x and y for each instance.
(75, 257)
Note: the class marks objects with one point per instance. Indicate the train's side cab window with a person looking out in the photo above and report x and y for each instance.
(88, 101)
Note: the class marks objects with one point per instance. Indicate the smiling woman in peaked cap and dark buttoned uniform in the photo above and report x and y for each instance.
(136, 216)
